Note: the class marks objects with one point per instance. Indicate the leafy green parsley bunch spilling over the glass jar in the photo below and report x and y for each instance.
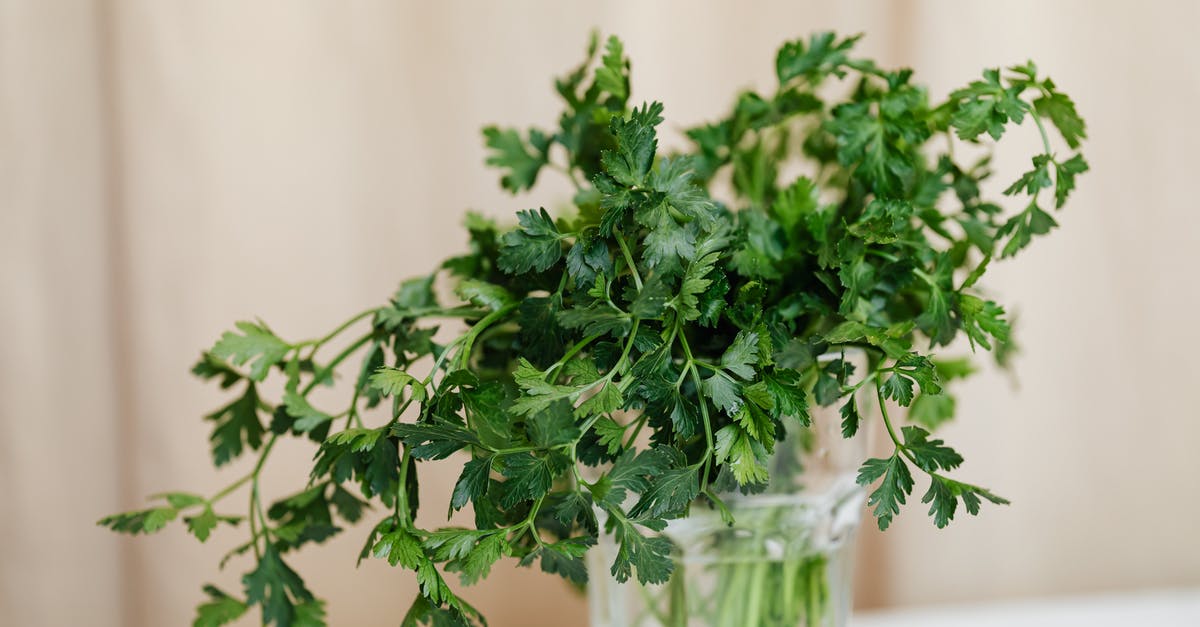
(659, 312)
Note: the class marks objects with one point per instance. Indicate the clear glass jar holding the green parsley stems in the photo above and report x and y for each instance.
(788, 559)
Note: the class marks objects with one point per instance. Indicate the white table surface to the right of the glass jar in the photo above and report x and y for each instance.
(1161, 608)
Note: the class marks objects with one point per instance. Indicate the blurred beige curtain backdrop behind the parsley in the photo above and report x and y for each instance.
(170, 168)
